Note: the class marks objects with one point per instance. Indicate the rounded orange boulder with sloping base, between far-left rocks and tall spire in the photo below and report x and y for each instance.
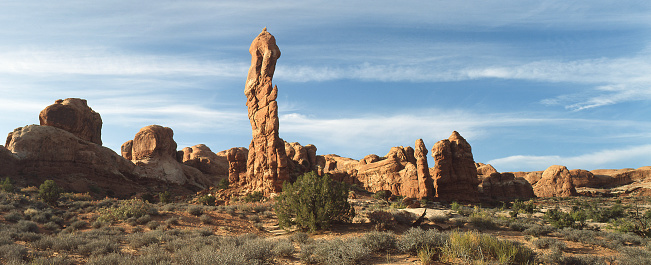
(153, 150)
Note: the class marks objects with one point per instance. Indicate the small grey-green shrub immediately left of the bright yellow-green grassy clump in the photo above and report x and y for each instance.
(415, 239)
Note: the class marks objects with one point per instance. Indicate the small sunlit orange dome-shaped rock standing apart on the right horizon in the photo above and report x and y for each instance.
(556, 181)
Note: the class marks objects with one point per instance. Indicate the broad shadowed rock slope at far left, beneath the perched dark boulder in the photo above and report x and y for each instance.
(50, 152)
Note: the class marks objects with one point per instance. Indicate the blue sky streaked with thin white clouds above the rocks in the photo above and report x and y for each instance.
(529, 84)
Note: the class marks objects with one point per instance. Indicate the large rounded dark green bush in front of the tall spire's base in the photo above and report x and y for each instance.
(313, 203)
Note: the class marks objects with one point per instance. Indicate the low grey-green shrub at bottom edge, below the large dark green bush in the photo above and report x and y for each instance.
(336, 251)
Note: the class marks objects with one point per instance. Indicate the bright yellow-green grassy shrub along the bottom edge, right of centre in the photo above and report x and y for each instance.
(474, 246)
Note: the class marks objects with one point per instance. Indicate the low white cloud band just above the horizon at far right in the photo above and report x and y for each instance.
(596, 160)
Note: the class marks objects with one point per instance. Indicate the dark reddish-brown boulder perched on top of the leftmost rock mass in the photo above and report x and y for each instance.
(74, 115)
